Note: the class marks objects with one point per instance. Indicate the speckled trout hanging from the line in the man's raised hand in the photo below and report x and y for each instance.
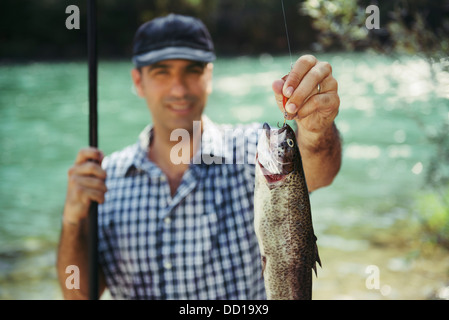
(283, 218)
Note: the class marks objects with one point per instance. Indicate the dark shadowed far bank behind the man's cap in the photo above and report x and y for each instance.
(32, 29)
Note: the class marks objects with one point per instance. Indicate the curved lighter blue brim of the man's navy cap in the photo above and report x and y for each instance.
(186, 53)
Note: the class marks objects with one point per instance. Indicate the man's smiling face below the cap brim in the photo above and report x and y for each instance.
(176, 91)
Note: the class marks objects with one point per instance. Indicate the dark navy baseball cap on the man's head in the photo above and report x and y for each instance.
(172, 37)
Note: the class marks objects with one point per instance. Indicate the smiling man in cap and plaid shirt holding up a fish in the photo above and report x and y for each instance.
(170, 230)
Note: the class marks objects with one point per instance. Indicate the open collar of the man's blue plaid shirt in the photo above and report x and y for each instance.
(212, 149)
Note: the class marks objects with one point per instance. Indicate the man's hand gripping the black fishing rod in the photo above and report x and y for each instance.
(86, 183)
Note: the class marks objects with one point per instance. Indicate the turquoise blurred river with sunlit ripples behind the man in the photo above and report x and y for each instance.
(366, 223)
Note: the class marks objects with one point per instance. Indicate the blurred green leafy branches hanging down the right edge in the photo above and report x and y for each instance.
(412, 27)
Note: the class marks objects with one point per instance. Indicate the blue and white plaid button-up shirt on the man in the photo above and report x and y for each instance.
(198, 244)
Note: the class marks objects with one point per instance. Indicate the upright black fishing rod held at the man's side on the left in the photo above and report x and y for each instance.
(93, 142)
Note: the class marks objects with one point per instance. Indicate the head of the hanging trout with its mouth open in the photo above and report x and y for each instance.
(277, 153)
